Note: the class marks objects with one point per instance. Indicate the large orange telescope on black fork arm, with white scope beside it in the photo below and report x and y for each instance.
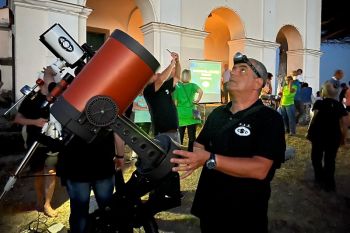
(103, 89)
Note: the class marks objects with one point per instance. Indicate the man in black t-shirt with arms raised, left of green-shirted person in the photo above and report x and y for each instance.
(158, 95)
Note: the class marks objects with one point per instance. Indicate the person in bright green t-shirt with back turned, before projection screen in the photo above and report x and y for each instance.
(185, 101)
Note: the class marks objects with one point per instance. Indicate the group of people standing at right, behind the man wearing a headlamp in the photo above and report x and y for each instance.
(327, 117)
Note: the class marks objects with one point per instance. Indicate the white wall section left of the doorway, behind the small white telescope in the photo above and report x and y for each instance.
(32, 19)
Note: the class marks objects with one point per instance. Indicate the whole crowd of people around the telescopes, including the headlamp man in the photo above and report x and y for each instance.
(235, 176)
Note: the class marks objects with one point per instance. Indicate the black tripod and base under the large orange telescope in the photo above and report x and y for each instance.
(128, 211)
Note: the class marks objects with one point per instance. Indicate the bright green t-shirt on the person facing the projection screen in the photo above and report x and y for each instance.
(184, 95)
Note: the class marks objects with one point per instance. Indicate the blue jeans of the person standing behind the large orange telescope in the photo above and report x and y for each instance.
(79, 195)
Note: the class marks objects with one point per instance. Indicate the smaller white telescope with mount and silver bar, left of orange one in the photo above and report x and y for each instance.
(69, 54)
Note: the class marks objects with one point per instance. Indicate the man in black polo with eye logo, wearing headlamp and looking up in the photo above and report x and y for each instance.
(240, 147)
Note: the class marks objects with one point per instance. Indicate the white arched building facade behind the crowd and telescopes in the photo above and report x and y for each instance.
(261, 21)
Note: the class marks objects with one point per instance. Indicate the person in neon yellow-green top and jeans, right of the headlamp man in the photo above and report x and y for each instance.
(287, 105)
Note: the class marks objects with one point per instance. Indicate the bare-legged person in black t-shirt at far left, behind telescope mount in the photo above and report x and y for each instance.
(32, 115)
